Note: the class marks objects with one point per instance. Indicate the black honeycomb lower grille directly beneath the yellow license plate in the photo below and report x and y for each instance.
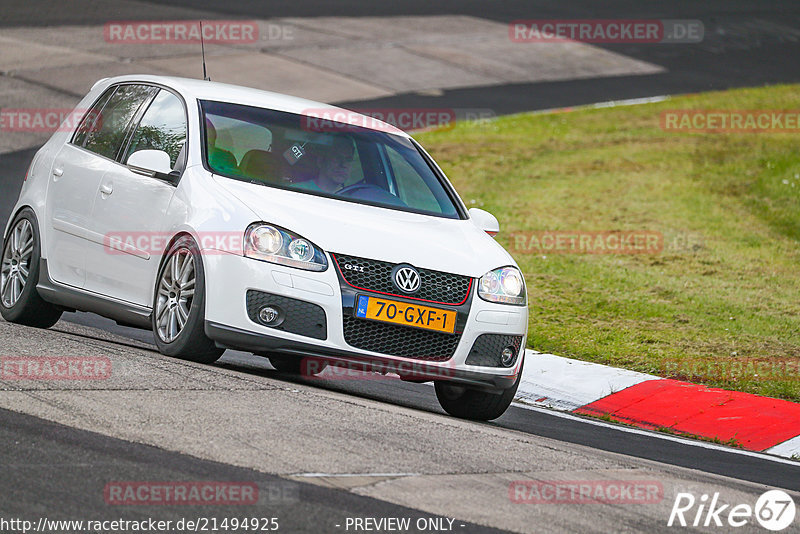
(397, 340)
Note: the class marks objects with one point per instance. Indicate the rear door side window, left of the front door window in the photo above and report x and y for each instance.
(108, 133)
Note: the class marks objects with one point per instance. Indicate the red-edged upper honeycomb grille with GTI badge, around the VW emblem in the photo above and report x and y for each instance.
(375, 275)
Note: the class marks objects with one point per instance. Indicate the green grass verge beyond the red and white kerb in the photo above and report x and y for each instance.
(719, 304)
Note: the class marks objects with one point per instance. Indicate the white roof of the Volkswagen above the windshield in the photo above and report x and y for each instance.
(237, 94)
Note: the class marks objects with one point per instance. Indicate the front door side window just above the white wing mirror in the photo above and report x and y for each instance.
(163, 127)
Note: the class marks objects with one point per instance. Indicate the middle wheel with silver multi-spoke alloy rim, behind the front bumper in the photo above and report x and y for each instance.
(179, 306)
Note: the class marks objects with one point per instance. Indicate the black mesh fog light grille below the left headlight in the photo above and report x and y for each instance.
(300, 317)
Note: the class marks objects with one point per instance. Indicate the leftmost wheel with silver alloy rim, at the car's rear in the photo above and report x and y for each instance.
(19, 300)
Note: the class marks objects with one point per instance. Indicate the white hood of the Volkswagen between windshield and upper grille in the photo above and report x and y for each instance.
(337, 226)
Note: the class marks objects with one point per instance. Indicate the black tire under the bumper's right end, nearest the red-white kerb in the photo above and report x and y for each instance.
(477, 405)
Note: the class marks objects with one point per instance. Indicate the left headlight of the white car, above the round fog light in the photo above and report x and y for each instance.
(270, 243)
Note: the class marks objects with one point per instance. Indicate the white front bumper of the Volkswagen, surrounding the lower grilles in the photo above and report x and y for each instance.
(230, 277)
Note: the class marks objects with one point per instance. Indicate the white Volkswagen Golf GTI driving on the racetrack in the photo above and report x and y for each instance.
(226, 217)
